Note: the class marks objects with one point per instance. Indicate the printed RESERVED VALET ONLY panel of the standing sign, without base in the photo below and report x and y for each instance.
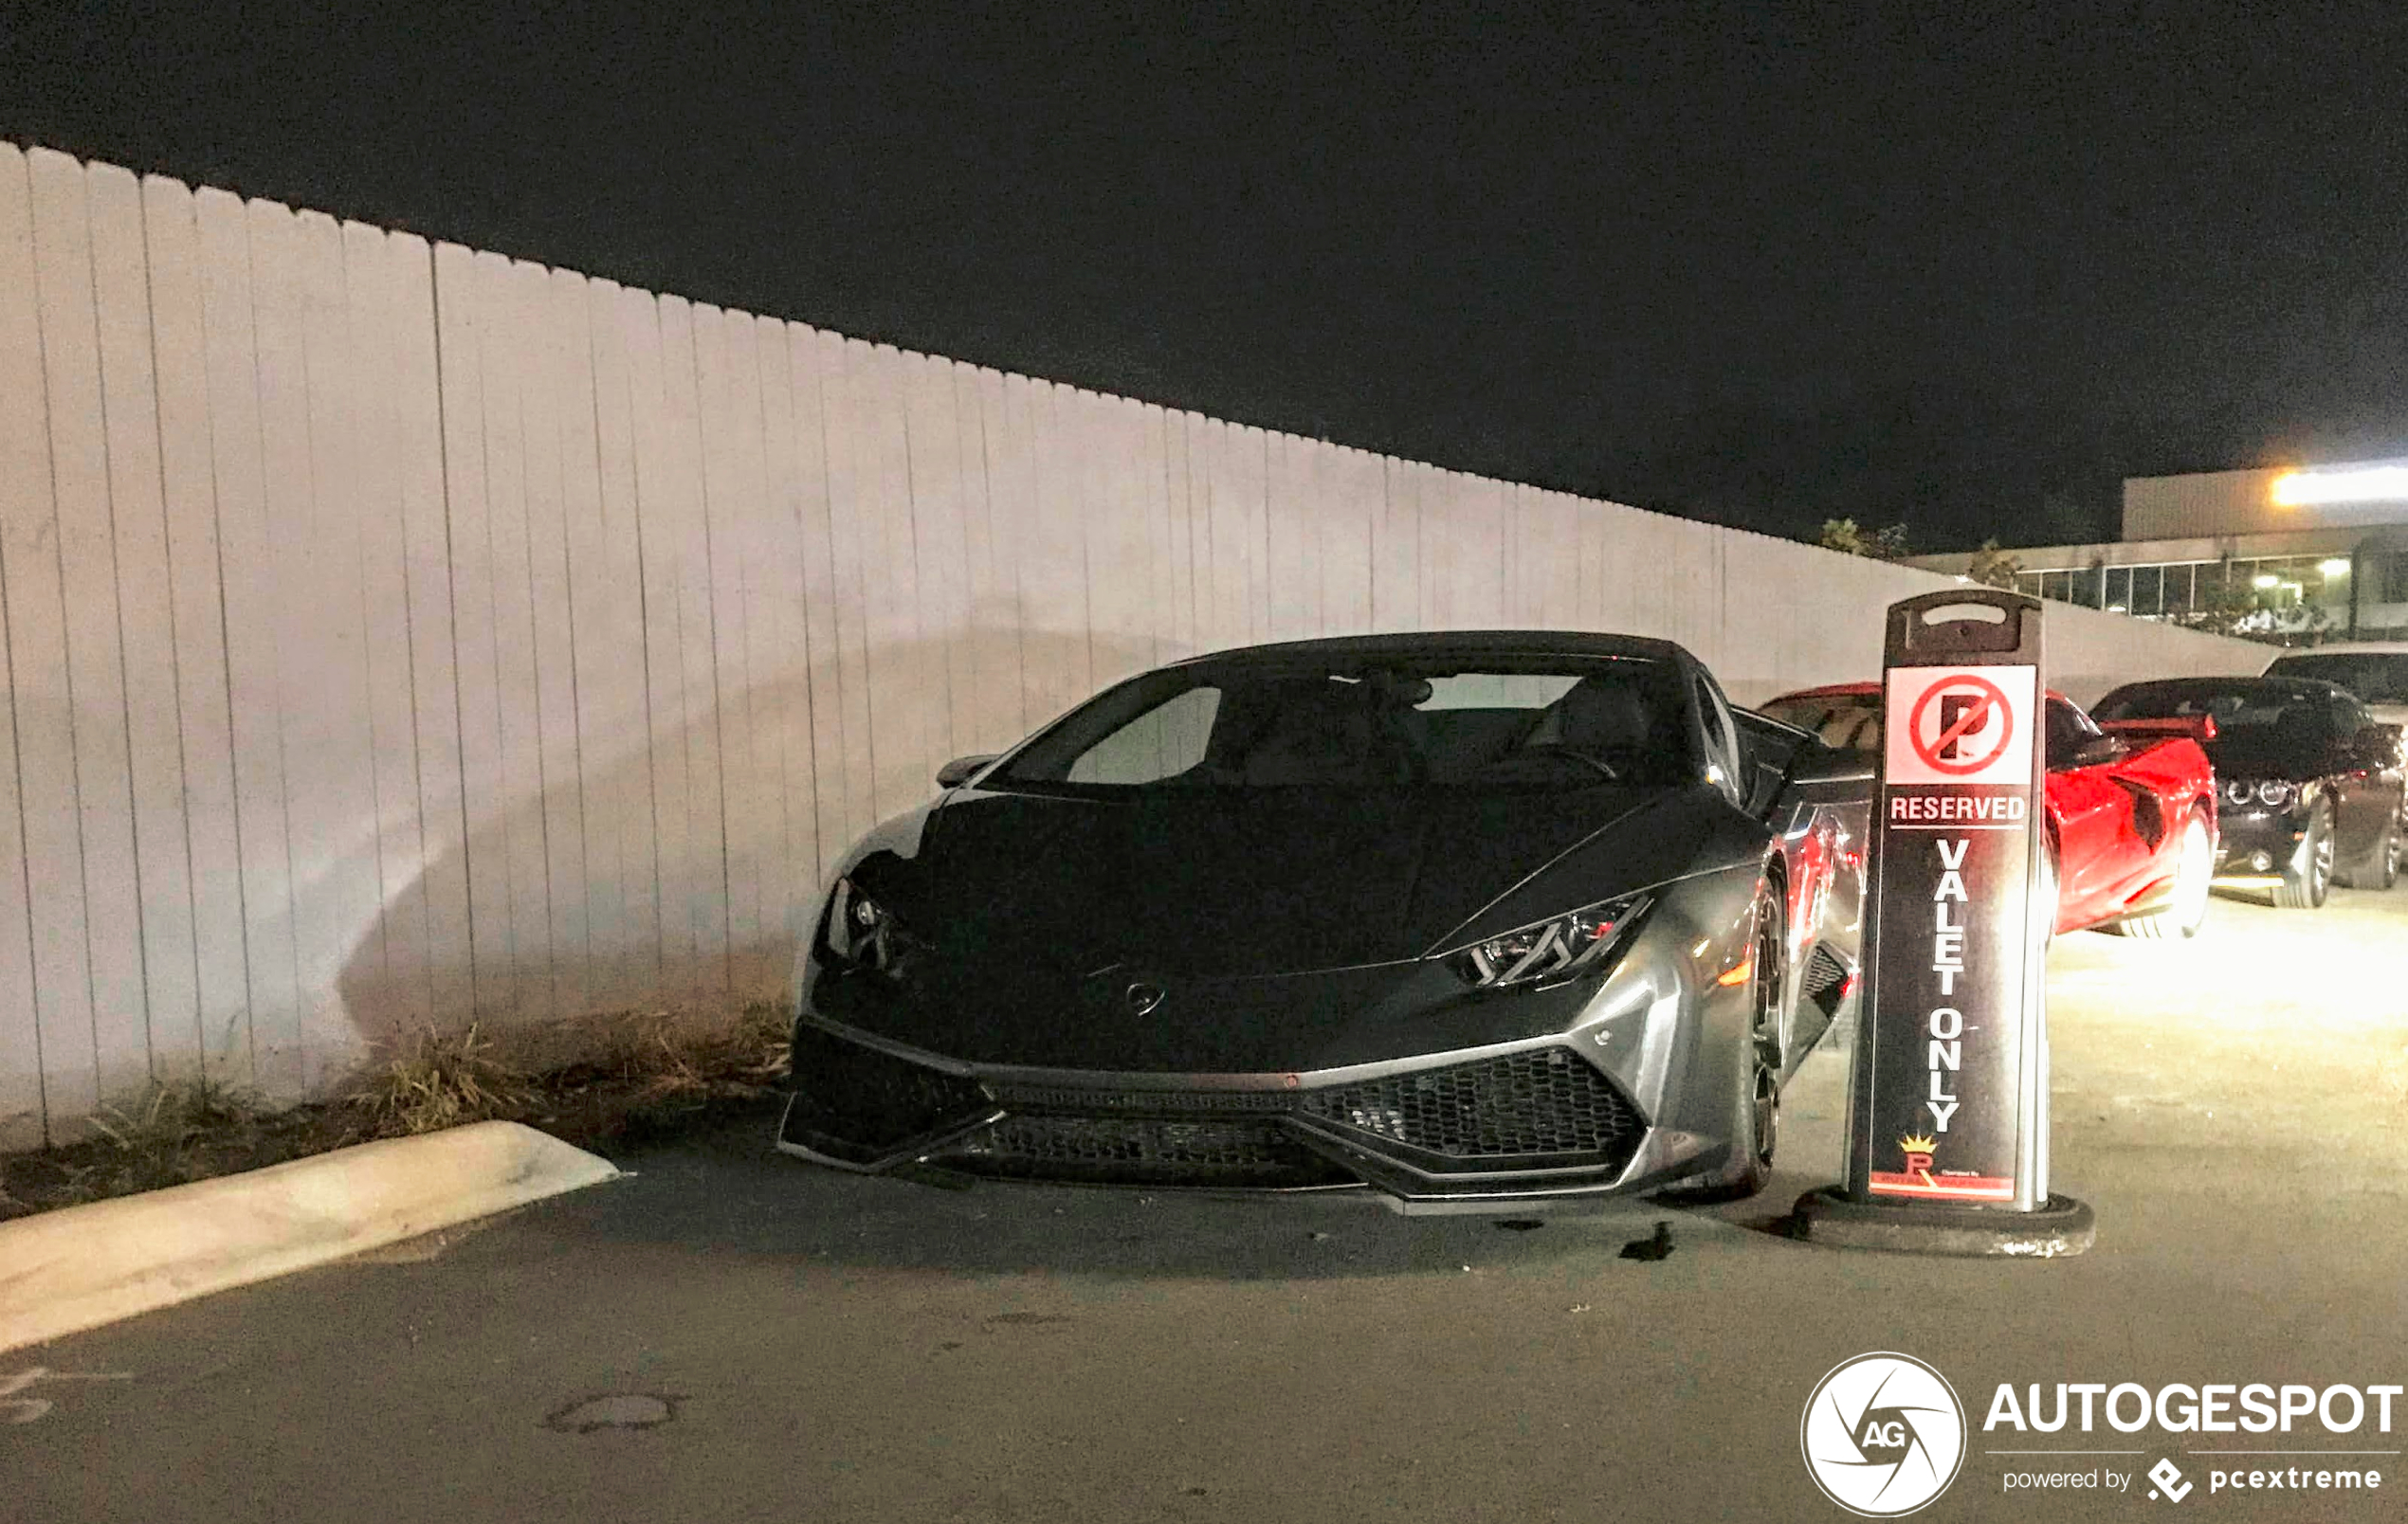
(1952, 1109)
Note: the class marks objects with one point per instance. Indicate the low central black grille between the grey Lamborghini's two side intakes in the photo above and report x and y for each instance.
(1249, 1152)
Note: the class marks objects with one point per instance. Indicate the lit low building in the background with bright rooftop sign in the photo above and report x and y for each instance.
(2279, 555)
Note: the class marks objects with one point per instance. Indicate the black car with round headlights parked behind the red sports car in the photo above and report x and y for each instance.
(2310, 779)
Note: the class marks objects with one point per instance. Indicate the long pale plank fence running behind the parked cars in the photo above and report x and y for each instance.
(396, 632)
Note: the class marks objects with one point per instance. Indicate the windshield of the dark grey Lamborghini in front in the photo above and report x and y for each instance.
(1545, 723)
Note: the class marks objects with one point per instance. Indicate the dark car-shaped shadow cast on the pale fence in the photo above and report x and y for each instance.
(673, 926)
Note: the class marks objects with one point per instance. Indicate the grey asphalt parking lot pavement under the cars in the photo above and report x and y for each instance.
(733, 1335)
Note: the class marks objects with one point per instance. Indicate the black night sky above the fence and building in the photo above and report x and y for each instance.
(1937, 264)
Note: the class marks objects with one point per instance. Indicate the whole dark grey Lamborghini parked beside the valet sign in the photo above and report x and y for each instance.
(1444, 918)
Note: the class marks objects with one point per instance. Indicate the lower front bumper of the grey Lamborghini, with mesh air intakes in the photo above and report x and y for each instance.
(1439, 1133)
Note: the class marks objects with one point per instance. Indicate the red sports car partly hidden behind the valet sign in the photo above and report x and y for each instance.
(2132, 808)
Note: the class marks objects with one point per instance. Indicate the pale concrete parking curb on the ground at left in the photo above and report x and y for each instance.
(64, 1272)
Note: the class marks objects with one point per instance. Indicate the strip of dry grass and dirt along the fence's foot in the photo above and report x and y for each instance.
(642, 1077)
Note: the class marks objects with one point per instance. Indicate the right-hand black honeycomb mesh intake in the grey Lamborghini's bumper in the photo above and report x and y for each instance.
(1523, 1106)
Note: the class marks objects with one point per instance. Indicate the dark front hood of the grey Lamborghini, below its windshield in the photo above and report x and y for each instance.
(1222, 882)
